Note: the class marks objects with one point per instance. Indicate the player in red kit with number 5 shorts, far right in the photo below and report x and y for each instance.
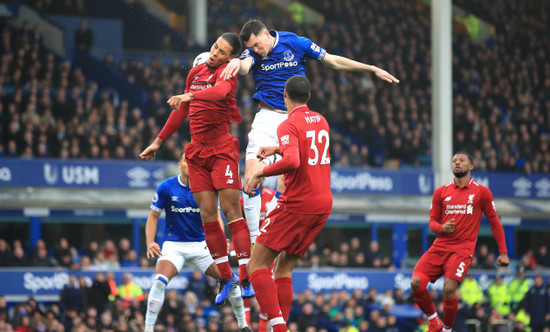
(455, 215)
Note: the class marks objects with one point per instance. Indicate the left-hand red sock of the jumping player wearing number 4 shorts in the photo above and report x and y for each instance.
(217, 244)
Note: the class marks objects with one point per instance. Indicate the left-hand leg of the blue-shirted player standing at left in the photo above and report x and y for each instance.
(167, 267)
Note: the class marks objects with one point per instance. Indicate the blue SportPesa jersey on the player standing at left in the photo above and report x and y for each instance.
(183, 220)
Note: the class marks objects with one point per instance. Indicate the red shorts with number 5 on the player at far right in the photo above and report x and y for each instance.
(452, 264)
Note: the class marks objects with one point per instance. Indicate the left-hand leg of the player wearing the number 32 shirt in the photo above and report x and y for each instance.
(262, 281)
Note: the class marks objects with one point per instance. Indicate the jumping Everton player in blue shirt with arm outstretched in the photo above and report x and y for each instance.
(274, 57)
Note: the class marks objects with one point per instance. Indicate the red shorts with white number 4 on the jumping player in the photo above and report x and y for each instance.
(214, 167)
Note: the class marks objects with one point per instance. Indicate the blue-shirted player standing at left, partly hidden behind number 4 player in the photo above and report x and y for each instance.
(184, 241)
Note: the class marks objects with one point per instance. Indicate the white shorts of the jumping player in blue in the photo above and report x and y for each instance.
(263, 131)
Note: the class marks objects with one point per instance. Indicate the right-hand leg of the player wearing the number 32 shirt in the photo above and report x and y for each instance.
(282, 273)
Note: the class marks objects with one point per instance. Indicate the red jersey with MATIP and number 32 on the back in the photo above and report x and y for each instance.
(308, 186)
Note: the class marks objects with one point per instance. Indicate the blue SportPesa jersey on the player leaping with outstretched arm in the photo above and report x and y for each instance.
(287, 58)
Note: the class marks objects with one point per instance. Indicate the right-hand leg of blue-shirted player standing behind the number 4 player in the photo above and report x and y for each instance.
(203, 261)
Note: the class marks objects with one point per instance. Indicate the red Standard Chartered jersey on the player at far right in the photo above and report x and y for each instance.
(465, 205)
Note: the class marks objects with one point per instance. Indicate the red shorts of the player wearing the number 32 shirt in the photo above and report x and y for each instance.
(290, 232)
